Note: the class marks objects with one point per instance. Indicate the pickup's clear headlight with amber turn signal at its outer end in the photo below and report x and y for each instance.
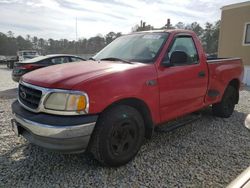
(67, 102)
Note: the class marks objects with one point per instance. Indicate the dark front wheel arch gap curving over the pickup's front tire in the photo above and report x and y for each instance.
(142, 108)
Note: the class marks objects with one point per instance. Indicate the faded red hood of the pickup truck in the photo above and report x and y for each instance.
(66, 76)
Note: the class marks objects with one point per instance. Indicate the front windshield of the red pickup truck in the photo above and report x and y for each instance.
(140, 47)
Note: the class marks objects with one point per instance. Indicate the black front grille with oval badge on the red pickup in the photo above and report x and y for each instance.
(30, 97)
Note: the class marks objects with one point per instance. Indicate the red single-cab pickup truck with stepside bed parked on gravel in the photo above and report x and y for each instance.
(111, 103)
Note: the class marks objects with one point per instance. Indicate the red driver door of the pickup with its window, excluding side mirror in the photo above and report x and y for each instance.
(182, 89)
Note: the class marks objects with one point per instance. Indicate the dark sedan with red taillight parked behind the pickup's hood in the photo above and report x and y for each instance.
(21, 68)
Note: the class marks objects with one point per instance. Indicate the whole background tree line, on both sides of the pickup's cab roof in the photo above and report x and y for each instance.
(10, 44)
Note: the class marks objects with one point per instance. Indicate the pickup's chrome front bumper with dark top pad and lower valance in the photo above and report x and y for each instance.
(67, 134)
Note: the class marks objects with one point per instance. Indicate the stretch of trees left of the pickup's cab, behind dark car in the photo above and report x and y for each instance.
(9, 44)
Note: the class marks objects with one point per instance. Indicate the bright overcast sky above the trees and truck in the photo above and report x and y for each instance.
(57, 18)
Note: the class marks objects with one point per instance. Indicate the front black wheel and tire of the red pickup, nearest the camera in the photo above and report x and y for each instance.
(118, 136)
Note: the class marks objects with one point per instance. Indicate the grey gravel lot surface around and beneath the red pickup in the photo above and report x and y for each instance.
(209, 152)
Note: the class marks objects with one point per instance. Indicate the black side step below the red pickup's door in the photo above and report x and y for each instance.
(177, 123)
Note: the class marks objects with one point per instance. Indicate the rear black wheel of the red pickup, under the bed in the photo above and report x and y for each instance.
(225, 108)
